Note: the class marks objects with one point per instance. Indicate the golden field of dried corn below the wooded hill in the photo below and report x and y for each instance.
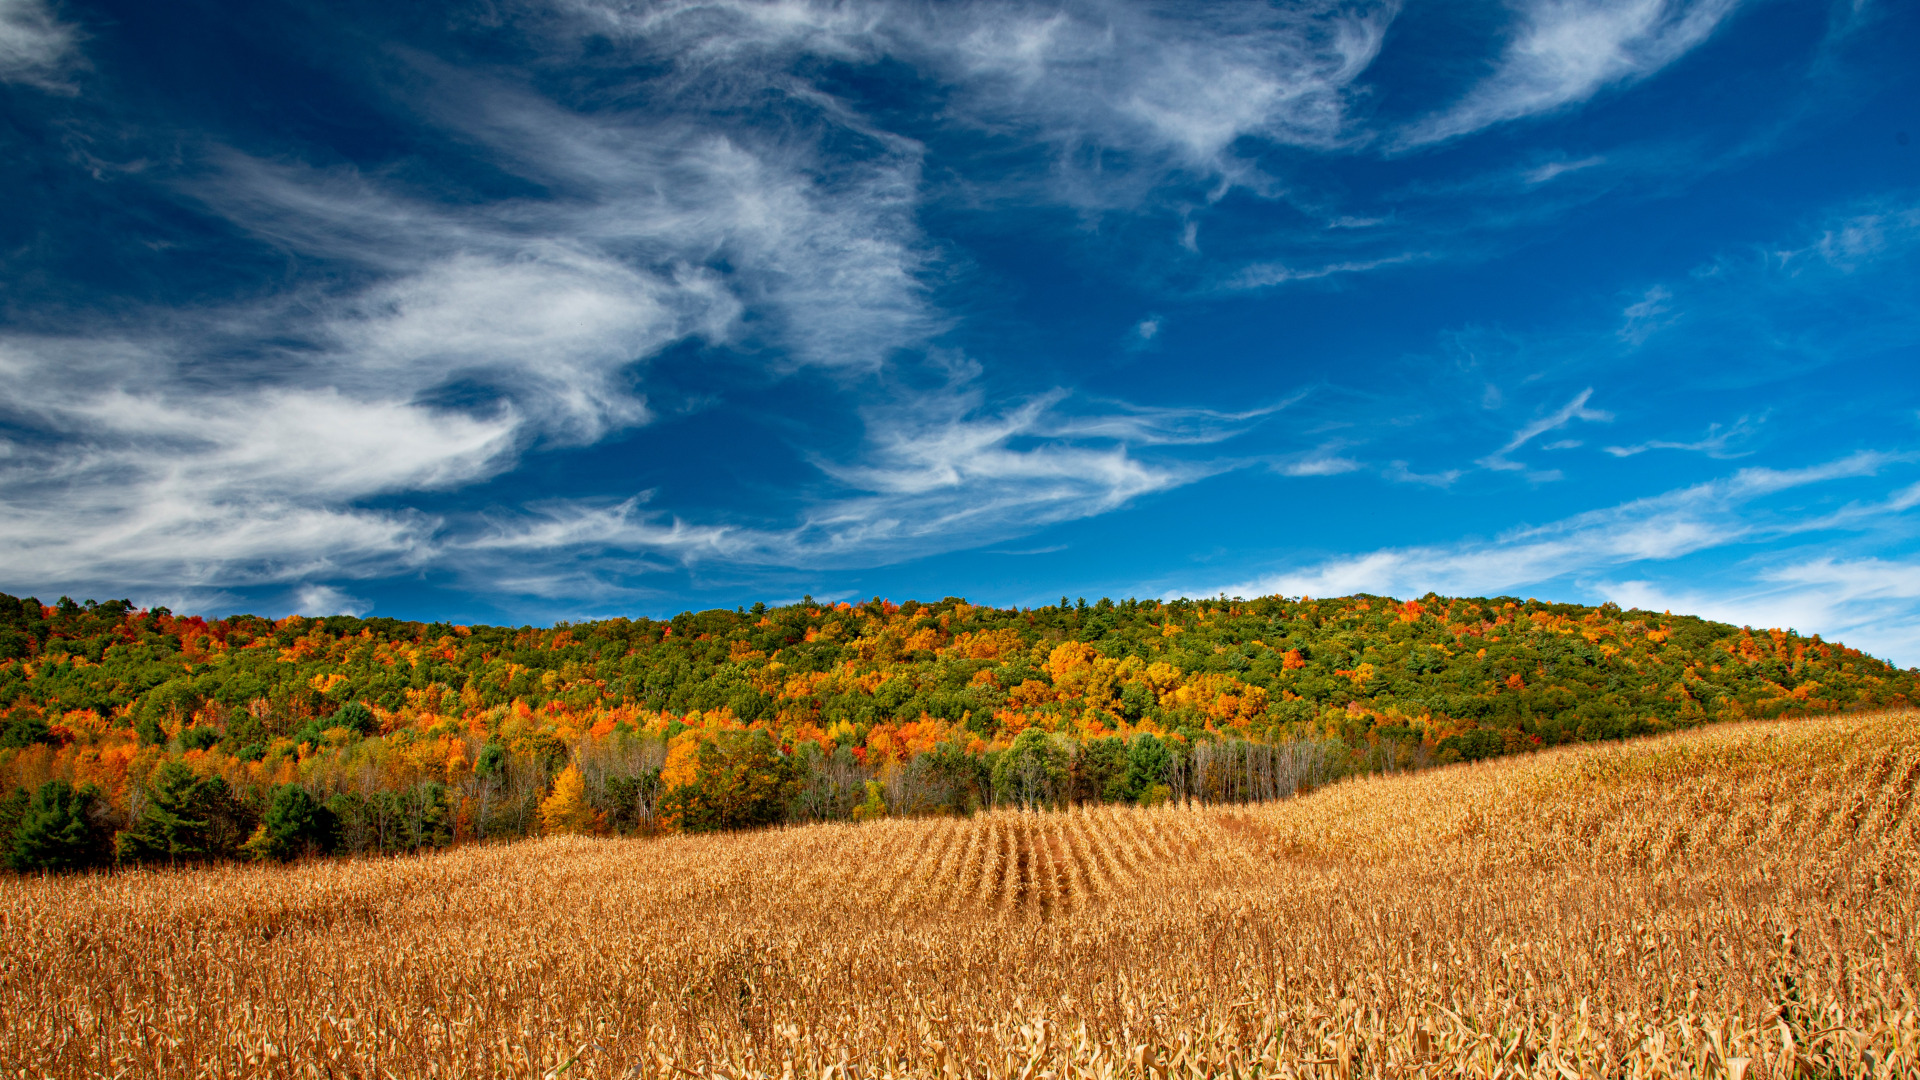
(1729, 902)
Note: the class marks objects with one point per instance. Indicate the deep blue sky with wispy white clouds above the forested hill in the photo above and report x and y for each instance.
(517, 312)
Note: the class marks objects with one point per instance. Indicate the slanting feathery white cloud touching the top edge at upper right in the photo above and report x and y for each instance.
(1566, 51)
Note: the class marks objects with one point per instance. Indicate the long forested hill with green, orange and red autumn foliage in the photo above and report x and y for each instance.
(105, 695)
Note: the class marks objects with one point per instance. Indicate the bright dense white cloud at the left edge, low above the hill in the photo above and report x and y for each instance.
(137, 479)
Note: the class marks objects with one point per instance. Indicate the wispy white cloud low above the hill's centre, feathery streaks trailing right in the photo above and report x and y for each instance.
(938, 474)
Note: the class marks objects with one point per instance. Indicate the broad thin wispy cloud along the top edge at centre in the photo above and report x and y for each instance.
(1172, 86)
